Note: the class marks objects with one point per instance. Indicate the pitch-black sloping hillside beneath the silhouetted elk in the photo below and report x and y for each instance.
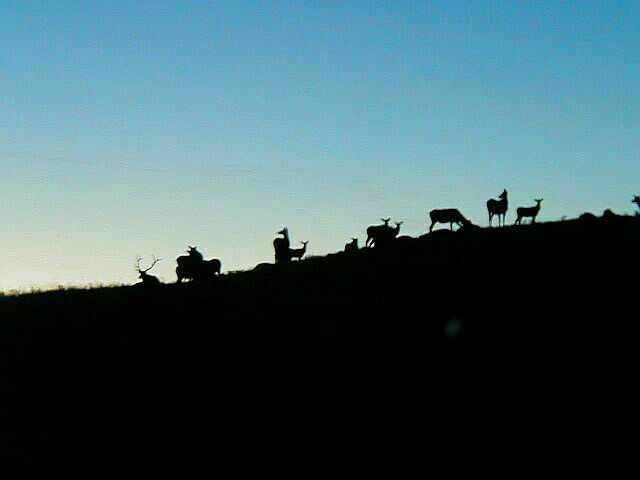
(503, 348)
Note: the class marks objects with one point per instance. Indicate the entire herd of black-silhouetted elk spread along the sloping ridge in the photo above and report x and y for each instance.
(195, 268)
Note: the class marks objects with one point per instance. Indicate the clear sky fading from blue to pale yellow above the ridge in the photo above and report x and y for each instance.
(143, 127)
